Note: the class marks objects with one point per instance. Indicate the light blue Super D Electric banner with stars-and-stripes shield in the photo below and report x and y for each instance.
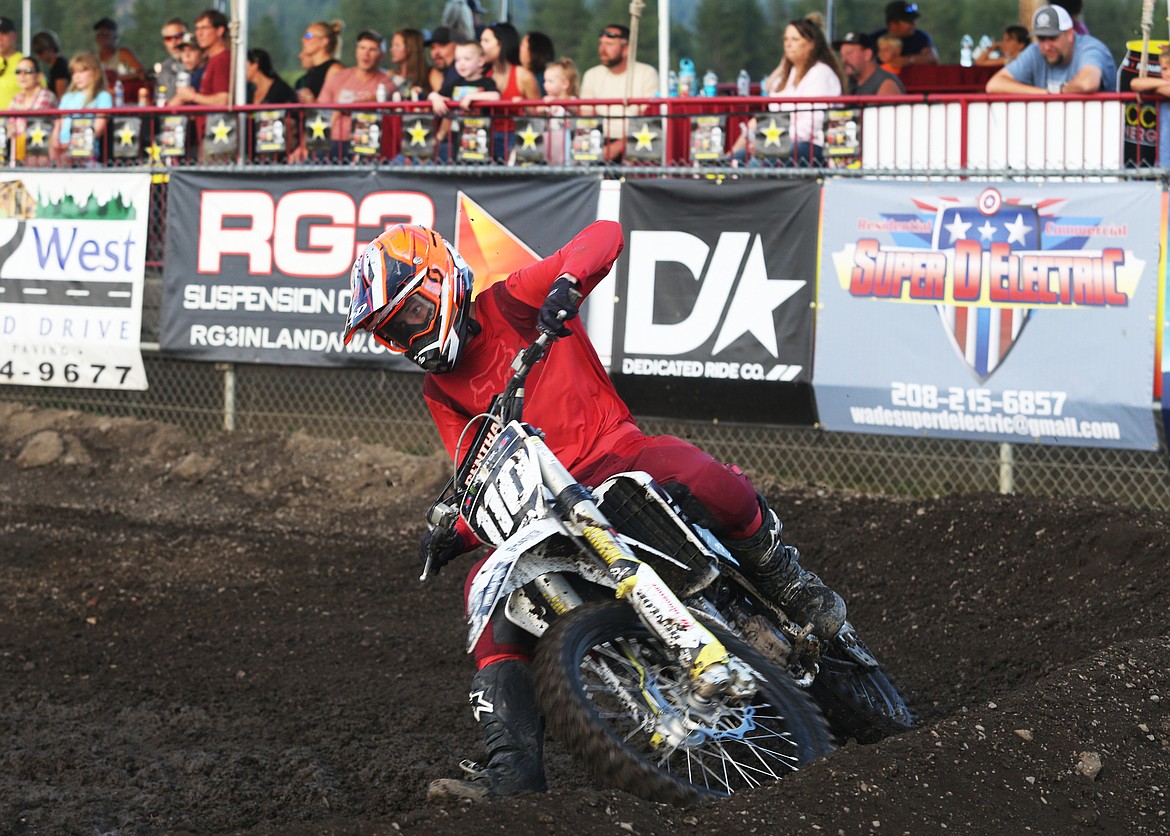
(1008, 313)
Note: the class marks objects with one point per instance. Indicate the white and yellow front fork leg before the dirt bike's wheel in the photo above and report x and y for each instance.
(713, 671)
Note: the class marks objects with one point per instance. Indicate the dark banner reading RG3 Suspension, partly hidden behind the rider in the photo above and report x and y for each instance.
(258, 267)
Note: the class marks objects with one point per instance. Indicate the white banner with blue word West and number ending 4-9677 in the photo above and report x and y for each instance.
(73, 255)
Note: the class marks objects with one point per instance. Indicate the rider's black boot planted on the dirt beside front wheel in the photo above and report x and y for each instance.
(505, 706)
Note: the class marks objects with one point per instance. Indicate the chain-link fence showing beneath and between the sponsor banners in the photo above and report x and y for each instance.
(387, 407)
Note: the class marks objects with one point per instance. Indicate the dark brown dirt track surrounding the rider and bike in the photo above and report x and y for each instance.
(230, 635)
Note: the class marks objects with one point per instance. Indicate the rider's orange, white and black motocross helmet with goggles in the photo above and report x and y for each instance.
(411, 291)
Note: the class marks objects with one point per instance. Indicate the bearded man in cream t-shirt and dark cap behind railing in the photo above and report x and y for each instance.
(609, 81)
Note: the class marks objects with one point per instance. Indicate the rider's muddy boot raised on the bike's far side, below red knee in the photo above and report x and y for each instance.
(777, 574)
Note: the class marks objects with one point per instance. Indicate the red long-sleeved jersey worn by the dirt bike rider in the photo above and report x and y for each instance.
(568, 395)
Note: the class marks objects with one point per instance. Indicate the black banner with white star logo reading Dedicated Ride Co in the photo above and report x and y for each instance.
(715, 288)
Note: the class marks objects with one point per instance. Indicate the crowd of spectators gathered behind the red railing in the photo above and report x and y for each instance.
(464, 67)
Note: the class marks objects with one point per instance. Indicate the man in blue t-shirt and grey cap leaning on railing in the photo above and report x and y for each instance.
(1059, 61)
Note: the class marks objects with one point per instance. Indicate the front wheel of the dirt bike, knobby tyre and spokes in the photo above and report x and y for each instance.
(616, 699)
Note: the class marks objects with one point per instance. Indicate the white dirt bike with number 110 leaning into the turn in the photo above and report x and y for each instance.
(659, 665)
